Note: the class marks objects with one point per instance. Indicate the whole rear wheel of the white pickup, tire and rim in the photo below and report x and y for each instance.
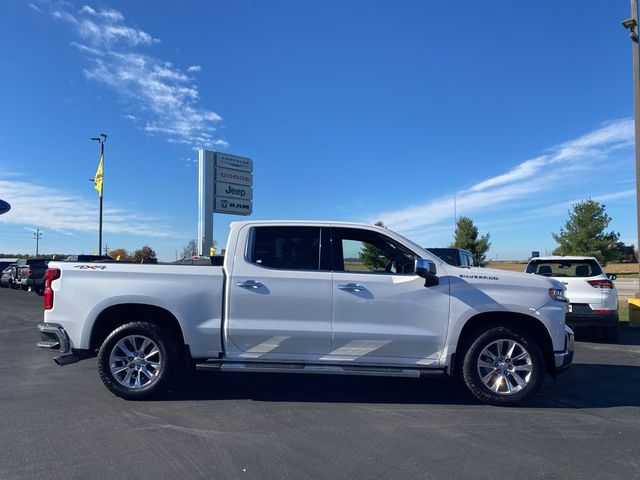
(138, 360)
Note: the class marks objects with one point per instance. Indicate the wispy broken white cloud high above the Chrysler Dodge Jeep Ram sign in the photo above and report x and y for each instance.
(164, 95)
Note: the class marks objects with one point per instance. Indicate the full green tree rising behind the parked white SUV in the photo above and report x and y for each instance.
(584, 233)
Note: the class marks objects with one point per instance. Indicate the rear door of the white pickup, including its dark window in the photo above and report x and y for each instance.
(280, 294)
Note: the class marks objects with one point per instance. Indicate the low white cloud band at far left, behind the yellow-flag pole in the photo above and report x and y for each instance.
(47, 207)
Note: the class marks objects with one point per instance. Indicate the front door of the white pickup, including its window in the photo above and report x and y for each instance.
(382, 312)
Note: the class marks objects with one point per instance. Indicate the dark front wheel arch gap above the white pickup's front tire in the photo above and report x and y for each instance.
(486, 320)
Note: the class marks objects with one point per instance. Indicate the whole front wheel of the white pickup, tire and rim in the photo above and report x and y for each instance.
(515, 393)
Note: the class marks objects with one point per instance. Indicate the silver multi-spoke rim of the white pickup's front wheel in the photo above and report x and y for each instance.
(505, 367)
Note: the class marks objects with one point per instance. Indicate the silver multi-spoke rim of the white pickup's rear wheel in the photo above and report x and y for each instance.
(135, 362)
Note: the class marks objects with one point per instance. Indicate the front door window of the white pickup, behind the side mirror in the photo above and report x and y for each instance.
(370, 252)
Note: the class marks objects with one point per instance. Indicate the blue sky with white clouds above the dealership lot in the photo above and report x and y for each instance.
(351, 110)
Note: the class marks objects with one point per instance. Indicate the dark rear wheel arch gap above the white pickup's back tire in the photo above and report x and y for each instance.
(115, 316)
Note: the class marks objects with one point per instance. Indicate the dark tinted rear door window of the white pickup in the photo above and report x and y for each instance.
(286, 248)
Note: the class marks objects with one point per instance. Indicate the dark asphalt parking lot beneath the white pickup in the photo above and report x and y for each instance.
(60, 422)
